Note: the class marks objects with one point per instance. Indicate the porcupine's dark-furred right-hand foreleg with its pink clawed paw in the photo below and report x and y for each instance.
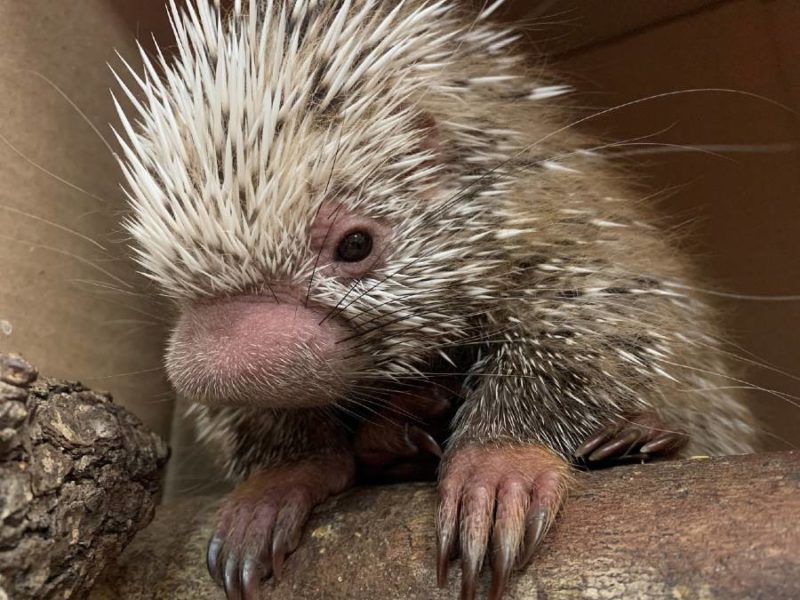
(507, 465)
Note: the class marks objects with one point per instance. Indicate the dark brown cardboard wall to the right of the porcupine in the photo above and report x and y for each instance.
(741, 210)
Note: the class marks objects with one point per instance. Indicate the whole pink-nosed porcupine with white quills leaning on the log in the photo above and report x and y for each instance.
(357, 204)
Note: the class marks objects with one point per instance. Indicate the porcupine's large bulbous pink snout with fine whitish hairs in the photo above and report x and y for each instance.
(254, 351)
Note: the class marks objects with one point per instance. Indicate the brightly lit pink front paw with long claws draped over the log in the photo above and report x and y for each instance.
(500, 500)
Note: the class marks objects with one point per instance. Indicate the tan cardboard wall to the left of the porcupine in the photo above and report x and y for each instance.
(53, 283)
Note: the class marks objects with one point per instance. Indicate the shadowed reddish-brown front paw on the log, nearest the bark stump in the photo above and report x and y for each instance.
(262, 521)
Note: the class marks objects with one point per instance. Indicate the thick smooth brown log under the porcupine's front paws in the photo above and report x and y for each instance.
(722, 528)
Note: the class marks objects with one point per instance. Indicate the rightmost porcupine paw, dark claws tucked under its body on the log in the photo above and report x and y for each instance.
(643, 436)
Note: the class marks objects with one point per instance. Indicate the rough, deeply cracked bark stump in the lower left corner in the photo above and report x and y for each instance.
(78, 477)
